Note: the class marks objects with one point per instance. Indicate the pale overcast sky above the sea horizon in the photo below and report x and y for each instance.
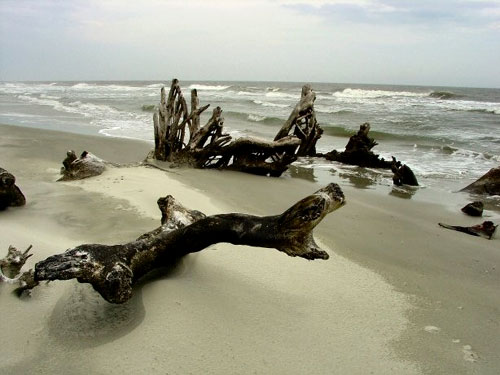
(419, 42)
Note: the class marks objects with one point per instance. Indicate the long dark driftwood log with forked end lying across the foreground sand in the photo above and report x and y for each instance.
(113, 270)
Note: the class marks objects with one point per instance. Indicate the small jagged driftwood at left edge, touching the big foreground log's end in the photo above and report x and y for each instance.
(10, 268)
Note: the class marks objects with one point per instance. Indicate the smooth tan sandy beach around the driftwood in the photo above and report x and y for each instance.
(399, 295)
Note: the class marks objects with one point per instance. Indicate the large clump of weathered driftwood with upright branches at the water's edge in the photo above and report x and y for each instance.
(180, 138)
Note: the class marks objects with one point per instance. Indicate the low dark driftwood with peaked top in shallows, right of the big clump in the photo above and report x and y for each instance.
(358, 151)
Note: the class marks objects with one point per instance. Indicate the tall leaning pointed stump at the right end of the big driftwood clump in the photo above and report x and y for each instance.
(302, 123)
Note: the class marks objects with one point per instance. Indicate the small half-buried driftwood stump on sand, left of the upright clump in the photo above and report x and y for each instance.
(77, 168)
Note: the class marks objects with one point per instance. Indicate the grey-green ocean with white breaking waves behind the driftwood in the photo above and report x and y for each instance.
(449, 136)
